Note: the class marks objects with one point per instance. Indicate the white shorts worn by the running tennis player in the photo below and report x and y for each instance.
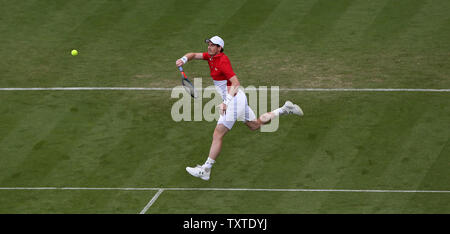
(237, 109)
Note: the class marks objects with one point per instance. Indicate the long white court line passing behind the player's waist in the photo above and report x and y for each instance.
(168, 89)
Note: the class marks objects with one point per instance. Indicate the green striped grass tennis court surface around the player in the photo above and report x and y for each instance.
(354, 140)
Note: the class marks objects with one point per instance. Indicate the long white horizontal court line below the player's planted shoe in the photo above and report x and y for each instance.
(233, 189)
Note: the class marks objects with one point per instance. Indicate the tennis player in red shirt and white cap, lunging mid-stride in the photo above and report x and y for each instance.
(234, 106)
